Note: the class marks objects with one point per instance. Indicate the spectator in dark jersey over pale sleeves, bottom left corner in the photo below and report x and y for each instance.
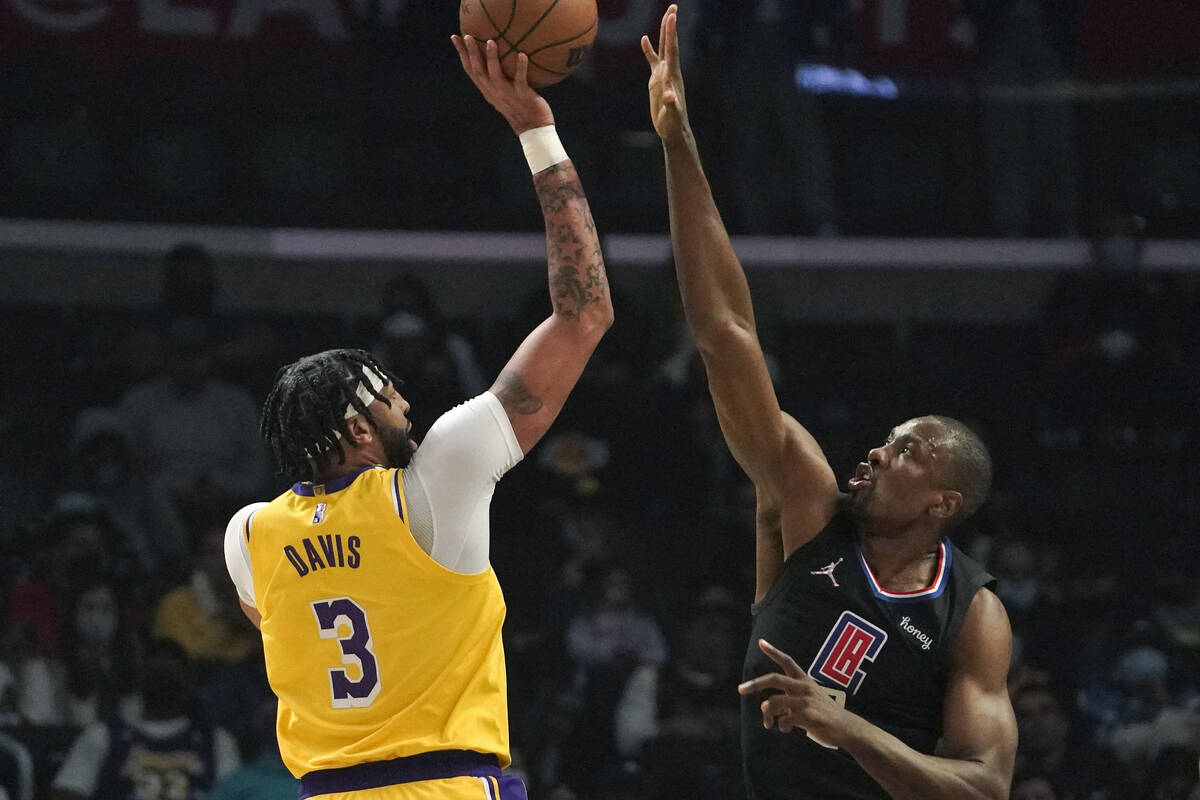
(170, 747)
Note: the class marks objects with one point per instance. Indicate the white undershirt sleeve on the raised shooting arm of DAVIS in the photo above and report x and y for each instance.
(451, 482)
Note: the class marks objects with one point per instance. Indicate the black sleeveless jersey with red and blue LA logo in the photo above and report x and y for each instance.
(884, 655)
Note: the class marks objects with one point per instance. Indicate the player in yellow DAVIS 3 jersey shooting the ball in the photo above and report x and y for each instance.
(370, 579)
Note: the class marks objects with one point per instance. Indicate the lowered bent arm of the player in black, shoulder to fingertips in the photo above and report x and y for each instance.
(979, 730)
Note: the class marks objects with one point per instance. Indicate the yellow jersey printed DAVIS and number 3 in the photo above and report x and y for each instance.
(374, 648)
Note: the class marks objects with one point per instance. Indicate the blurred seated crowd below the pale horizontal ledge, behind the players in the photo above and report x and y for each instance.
(625, 544)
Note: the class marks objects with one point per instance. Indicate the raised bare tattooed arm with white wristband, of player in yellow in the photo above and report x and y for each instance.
(535, 384)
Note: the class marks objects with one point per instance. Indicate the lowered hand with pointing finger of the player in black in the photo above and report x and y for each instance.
(801, 702)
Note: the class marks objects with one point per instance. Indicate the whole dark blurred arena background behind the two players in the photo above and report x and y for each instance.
(983, 209)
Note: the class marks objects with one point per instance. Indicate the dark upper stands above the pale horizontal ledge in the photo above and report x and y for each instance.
(1010, 118)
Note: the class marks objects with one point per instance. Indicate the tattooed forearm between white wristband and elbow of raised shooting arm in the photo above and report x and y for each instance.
(573, 248)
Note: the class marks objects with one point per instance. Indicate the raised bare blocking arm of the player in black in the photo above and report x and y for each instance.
(778, 454)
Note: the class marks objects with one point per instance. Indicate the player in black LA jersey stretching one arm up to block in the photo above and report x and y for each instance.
(879, 654)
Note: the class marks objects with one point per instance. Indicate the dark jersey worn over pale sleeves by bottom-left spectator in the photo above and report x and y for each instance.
(141, 767)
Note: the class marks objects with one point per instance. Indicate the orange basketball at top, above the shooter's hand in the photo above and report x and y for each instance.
(555, 34)
